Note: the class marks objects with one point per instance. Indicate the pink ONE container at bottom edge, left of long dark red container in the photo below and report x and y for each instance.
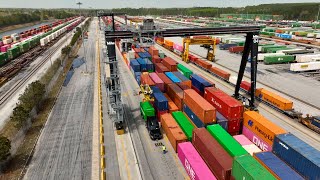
(193, 163)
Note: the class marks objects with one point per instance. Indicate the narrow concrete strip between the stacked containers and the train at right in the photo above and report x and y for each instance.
(283, 121)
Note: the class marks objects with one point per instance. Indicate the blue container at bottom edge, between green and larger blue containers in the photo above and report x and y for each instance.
(277, 166)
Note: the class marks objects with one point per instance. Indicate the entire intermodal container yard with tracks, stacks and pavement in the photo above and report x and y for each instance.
(138, 107)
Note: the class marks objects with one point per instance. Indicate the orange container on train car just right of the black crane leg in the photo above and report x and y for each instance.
(274, 99)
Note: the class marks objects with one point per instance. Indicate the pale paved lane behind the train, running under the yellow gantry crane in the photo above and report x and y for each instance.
(275, 76)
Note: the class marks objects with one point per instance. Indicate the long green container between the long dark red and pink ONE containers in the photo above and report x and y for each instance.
(226, 140)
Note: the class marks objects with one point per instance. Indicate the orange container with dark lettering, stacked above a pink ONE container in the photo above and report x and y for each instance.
(261, 126)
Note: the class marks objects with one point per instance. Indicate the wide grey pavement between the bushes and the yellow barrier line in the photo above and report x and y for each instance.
(64, 150)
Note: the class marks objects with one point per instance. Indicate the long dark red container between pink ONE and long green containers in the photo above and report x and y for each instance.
(217, 159)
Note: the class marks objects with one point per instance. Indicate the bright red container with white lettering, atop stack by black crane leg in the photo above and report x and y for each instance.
(229, 107)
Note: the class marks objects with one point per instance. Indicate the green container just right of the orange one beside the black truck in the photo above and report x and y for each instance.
(186, 126)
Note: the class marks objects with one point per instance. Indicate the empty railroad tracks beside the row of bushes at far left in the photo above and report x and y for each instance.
(22, 81)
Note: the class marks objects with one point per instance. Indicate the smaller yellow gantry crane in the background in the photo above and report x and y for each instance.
(208, 41)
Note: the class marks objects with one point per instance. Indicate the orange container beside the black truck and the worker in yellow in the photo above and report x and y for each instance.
(172, 130)
